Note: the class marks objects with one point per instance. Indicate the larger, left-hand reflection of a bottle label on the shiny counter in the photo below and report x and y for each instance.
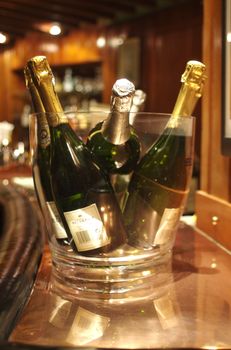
(87, 326)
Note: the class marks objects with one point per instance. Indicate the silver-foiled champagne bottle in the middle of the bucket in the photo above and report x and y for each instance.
(113, 143)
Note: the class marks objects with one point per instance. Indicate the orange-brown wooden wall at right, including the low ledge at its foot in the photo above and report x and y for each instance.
(213, 206)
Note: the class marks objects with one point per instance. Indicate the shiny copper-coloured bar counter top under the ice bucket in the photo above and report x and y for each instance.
(190, 309)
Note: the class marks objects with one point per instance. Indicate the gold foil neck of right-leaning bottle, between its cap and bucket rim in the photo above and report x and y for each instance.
(186, 101)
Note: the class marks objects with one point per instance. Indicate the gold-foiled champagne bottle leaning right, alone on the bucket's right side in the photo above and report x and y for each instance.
(159, 185)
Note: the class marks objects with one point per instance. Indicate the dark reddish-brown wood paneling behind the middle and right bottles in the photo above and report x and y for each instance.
(168, 40)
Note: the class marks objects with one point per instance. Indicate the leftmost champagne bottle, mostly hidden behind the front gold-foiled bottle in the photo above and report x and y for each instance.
(41, 163)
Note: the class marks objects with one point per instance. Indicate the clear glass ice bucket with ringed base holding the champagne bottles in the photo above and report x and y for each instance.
(137, 267)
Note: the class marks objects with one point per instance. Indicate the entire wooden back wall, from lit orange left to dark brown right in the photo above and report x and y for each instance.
(168, 39)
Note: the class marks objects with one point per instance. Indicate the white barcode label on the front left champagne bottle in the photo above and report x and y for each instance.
(87, 228)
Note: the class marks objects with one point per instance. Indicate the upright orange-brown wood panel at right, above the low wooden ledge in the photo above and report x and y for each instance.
(213, 181)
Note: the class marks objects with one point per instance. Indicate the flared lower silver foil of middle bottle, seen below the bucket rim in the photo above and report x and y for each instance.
(116, 128)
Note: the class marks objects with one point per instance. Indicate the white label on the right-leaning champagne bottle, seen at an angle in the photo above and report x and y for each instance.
(168, 225)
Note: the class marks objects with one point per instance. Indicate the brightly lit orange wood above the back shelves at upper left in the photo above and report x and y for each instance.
(77, 47)
